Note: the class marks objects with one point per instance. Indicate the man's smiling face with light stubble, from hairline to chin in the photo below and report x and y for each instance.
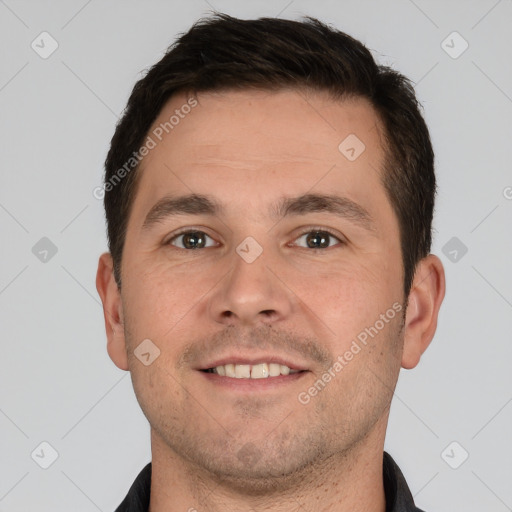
(285, 252)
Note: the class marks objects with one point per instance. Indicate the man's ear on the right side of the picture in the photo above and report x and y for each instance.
(425, 298)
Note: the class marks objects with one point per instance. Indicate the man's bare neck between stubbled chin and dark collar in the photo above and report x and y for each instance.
(351, 481)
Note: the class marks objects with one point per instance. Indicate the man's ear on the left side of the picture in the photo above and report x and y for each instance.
(112, 311)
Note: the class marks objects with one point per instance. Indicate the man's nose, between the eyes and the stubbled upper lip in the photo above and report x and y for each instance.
(251, 294)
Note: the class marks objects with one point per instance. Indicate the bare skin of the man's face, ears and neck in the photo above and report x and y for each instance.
(215, 448)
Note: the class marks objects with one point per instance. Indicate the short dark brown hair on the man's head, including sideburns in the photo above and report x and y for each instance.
(222, 52)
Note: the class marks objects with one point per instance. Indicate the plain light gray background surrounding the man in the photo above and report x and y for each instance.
(58, 114)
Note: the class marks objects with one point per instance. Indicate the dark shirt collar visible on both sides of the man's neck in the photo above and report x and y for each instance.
(398, 496)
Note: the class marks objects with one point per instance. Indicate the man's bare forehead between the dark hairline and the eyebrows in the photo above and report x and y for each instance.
(249, 144)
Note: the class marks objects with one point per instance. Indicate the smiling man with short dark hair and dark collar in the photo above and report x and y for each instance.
(269, 195)
